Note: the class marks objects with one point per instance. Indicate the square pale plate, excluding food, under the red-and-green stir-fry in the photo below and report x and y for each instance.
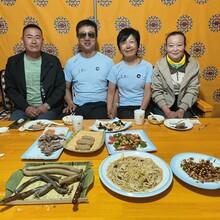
(150, 146)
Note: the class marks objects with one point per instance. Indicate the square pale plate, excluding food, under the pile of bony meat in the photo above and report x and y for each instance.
(34, 151)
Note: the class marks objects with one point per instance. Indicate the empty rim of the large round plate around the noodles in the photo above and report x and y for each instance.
(165, 183)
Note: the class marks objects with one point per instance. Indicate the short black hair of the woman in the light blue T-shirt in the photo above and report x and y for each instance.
(125, 33)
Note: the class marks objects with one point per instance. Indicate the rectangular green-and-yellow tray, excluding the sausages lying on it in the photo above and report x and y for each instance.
(52, 197)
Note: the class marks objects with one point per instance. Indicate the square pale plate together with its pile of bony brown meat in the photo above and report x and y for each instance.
(49, 145)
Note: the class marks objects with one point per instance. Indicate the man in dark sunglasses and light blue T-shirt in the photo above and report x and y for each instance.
(86, 75)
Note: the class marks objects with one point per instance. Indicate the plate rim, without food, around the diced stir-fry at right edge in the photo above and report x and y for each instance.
(180, 173)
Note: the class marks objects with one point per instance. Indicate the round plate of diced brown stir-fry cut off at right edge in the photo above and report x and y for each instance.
(199, 170)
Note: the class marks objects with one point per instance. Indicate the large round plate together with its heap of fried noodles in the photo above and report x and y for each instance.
(135, 174)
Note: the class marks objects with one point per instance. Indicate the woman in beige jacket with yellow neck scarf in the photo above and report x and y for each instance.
(175, 80)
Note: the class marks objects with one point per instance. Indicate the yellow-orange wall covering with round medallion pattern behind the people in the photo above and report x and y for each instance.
(198, 19)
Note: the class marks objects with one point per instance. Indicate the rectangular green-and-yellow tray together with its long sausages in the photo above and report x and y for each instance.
(46, 183)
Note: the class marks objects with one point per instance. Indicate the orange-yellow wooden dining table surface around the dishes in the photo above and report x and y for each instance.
(178, 201)
